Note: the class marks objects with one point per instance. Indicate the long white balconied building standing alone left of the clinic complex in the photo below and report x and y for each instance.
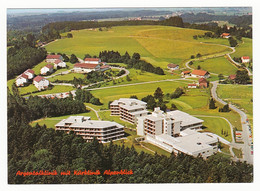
(104, 131)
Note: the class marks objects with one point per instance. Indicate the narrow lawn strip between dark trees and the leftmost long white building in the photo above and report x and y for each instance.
(50, 122)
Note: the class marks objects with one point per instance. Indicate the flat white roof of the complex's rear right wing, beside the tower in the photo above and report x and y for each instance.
(186, 118)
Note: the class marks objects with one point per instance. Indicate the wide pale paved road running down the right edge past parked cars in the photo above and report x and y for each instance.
(247, 156)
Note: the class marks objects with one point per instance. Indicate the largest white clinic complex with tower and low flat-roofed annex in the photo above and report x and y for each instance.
(175, 131)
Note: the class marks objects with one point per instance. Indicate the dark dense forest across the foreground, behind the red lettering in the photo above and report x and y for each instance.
(38, 148)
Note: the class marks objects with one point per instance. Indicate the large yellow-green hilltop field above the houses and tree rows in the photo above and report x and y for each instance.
(157, 42)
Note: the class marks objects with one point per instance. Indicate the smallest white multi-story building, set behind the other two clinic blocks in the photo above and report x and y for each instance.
(128, 109)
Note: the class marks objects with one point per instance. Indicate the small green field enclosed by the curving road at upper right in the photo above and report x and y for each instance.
(218, 65)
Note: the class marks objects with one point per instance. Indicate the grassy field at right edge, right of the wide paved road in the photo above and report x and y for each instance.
(239, 95)
